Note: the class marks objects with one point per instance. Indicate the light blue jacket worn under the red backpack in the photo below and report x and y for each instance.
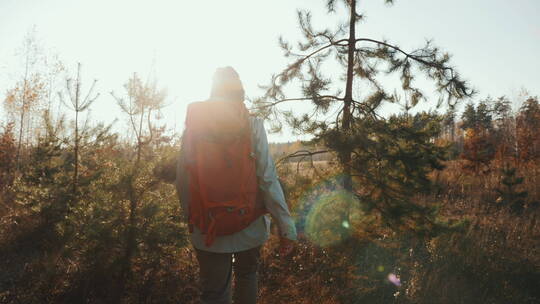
(258, 232)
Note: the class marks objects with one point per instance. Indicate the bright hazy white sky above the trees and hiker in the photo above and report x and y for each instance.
(494, 44)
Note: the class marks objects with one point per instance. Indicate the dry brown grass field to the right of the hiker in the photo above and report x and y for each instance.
(494, 259)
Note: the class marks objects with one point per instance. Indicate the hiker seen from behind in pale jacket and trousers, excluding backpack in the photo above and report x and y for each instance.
(216, 259)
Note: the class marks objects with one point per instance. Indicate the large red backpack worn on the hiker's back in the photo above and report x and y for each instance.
(223, 184)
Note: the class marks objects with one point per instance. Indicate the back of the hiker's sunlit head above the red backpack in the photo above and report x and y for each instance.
(226, 85)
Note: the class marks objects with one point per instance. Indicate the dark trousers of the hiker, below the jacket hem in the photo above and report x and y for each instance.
(216, 271)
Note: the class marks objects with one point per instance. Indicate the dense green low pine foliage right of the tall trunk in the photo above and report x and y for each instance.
(391, 162)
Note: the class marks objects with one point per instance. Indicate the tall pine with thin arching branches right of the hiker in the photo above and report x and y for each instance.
(347, 124)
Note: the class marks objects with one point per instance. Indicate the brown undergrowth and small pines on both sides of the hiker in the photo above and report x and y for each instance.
(493, 258)
